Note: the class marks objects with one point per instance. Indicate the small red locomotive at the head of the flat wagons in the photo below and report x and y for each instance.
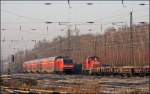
(92, 65)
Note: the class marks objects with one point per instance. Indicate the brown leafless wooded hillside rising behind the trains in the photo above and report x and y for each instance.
(113, 47)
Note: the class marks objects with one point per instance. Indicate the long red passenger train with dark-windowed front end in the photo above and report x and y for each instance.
(49, 65)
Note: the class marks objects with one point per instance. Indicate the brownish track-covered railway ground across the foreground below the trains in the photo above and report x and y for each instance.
(62, 84)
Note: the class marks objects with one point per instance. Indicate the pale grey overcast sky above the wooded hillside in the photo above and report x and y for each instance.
(32, 15)
